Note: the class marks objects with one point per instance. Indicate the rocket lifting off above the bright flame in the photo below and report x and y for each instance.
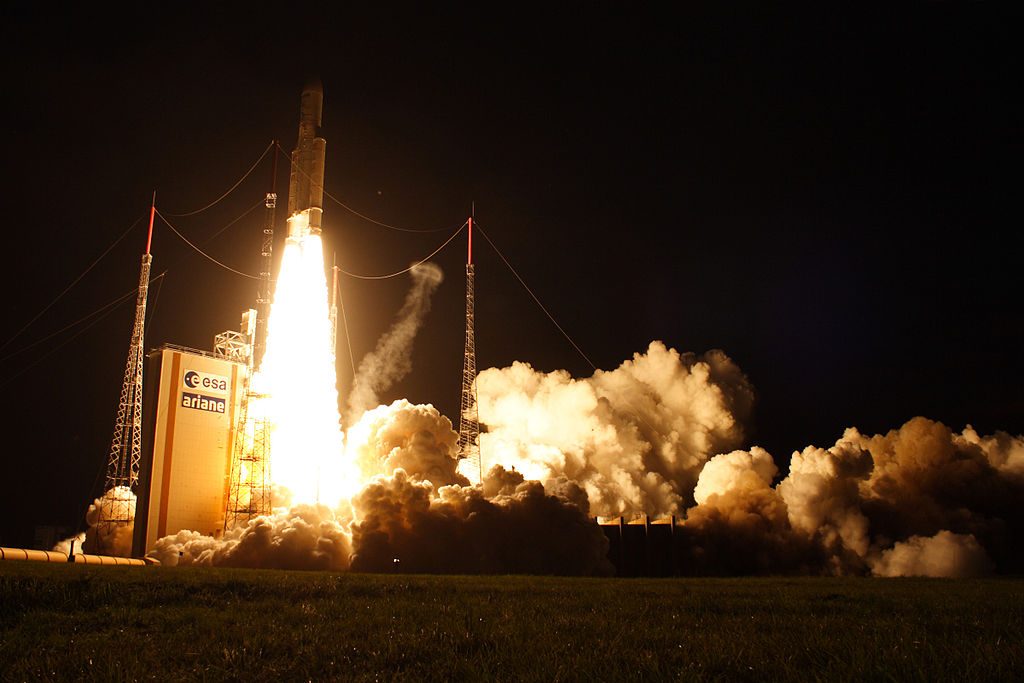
(306, 190)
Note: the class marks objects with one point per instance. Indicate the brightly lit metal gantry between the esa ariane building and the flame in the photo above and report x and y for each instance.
(249, 483)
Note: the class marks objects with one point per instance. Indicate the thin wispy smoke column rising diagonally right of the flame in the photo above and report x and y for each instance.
(392, 360)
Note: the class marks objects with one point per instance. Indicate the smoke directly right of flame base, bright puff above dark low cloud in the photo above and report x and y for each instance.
(418, 515)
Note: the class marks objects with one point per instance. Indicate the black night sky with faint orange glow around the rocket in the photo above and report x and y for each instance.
(829, 197)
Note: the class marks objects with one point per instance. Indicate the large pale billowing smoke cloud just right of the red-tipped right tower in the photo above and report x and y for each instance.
(634, 439)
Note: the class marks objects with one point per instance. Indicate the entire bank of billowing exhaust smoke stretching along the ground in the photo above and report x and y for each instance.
(661, 435)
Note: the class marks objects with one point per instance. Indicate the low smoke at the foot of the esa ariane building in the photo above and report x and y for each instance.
(305, 537)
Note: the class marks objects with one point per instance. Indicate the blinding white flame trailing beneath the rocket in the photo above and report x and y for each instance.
(298, 379)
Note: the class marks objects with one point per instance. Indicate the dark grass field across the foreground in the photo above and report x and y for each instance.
(65, 622)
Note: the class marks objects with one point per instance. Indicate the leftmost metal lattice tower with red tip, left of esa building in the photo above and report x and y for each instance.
(126, 447)
